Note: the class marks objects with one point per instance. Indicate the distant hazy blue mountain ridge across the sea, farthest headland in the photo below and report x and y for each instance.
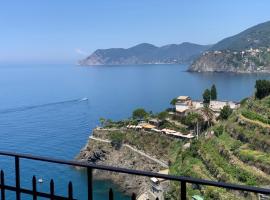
(146, 54)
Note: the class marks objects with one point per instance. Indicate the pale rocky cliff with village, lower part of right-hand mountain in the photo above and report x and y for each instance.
(247, 61)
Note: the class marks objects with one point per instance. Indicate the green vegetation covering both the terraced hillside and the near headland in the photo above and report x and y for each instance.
(235, 149)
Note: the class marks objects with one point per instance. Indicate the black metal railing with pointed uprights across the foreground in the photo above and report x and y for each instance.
(34, 193)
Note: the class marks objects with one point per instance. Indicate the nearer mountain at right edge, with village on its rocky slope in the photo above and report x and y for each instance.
(248, 51)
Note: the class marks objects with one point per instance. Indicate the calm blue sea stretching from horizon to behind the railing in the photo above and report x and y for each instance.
(50, 110)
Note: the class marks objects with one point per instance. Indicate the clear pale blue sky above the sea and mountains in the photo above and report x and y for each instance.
(63, 31)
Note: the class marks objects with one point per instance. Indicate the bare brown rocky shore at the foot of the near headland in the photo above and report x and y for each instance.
(103, 153)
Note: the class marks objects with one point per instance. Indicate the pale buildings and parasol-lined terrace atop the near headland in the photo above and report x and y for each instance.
(183, 106)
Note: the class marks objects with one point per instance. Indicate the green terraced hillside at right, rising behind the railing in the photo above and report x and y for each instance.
(237, 152)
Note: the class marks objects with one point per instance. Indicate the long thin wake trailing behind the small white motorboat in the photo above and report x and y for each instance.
(24, 108)
